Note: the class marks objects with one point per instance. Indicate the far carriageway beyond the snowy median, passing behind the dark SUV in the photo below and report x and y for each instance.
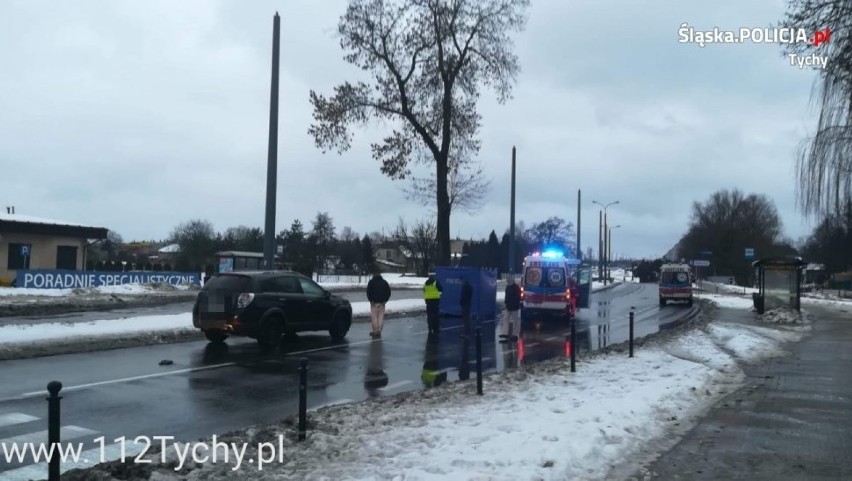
(172, 308)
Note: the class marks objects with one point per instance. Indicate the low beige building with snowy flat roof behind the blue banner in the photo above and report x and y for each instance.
(28, 242)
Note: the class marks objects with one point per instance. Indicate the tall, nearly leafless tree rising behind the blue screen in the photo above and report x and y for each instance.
(429, 60)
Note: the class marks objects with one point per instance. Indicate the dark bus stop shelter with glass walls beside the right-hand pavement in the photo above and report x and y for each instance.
(779, 283)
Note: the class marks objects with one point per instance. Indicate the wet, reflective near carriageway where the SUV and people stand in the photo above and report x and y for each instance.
(212, 389)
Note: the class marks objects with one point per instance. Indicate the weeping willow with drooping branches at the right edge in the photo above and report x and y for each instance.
(824, 163)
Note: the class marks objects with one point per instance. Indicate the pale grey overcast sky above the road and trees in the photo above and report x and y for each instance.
(137, 116)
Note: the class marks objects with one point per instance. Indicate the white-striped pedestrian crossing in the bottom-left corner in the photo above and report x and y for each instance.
(21, 433)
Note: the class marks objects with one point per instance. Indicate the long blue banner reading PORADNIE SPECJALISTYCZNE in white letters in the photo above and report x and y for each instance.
(66, 279)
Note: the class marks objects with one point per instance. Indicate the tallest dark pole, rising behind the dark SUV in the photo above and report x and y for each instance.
(272, 158)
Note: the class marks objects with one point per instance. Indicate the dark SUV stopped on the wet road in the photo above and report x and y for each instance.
(267, 305)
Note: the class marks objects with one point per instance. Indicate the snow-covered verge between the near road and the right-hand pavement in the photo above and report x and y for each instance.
(537, 422)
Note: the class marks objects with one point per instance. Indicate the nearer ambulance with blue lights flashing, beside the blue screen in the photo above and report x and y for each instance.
(548, 286)
